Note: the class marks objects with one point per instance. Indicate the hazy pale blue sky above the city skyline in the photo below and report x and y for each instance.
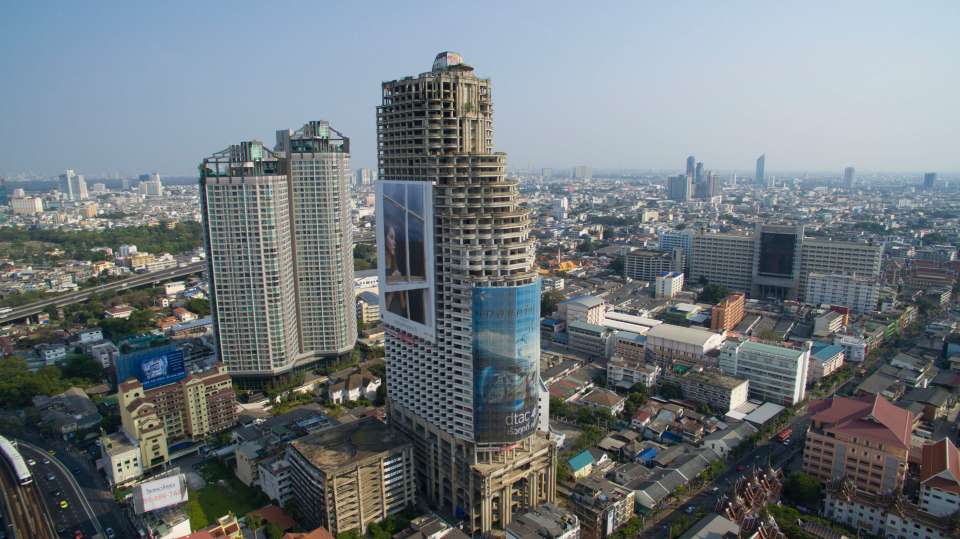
(129, 87)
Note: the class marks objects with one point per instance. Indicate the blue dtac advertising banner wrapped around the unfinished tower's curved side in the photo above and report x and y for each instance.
(506, 362)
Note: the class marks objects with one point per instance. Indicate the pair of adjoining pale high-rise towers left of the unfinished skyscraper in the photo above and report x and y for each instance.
(280, 252)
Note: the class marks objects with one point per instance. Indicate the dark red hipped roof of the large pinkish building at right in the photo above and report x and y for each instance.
(874, 418)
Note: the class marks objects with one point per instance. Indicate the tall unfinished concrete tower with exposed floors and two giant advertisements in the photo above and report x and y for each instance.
(460, 300)
